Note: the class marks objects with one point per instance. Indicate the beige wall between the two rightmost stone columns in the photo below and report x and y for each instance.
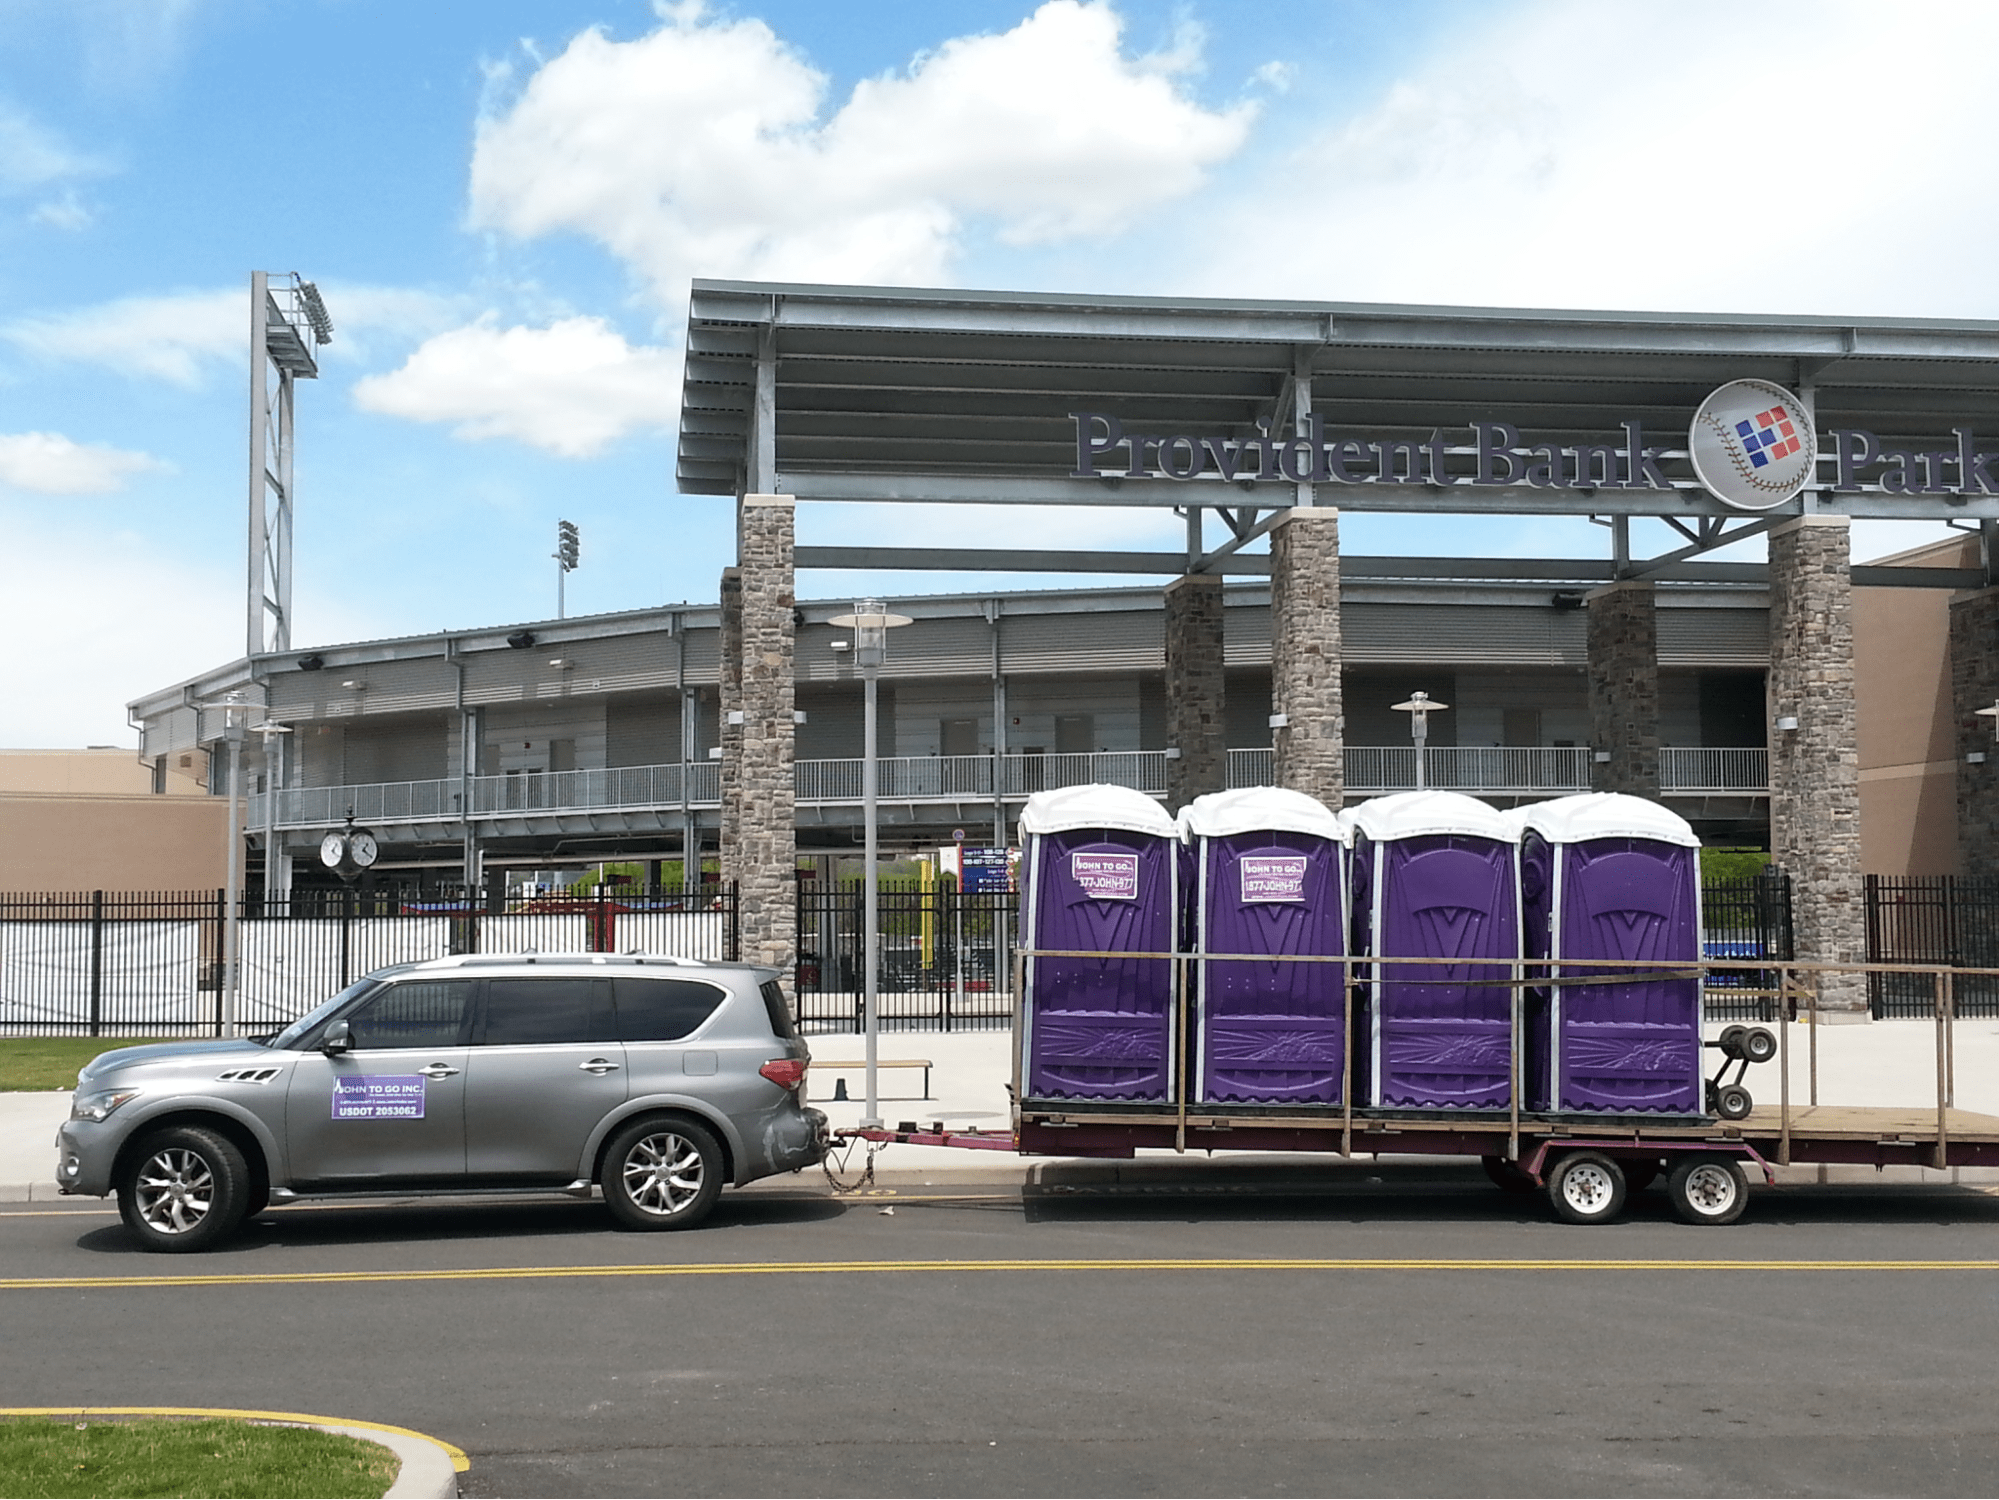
(1902, 685)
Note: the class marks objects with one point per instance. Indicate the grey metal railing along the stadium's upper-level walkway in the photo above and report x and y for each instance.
(1508, 771)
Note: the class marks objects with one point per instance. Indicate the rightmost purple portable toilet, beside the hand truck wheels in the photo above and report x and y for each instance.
(1612, 877)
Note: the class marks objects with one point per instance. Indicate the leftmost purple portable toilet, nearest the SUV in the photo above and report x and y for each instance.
(1100, 877)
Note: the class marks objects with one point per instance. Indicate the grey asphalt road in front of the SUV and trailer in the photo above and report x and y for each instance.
(1422, 1335)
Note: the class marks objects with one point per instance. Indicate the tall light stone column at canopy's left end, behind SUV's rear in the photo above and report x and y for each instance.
(767, 831)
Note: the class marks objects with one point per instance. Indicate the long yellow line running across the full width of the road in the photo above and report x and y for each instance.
(957, 1267)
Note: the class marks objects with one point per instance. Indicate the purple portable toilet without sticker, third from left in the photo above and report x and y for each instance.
(1436, 877)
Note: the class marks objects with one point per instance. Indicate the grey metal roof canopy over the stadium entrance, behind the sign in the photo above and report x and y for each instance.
(851, 393)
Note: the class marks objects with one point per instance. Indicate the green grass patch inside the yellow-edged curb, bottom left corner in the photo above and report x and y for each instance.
(215, 1459)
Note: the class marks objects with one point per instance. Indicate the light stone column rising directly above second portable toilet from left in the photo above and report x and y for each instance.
(1304, 653)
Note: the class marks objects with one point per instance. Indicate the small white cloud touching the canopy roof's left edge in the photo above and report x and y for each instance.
(571, 389)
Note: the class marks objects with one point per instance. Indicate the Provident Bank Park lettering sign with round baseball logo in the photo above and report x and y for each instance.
(1752, 445)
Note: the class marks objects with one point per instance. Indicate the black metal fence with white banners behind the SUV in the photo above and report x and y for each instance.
(151, 963)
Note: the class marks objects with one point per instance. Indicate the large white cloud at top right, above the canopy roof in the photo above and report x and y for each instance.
(1578, 155)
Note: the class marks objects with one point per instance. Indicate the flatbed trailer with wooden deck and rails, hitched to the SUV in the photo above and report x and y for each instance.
(1584, 1163)
